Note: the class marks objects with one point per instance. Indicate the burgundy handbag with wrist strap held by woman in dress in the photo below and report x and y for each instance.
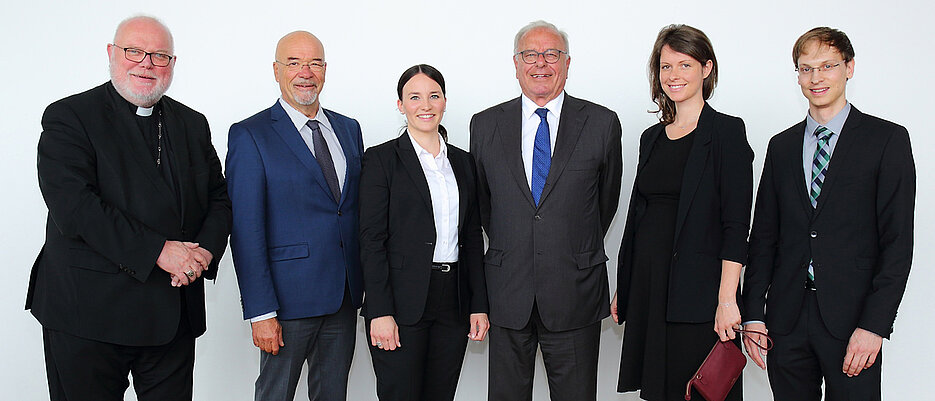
(721, 368)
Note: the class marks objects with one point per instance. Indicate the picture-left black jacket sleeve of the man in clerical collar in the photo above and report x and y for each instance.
(68, 180)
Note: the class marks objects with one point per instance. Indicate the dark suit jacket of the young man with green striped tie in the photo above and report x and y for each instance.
(859, 236)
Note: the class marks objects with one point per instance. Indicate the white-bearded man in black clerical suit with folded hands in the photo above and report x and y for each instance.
(138, 216)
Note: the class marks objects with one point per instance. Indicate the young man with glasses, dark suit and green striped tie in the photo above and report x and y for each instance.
(831, 243)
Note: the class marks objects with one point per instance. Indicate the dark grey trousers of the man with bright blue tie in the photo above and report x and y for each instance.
(570, 359)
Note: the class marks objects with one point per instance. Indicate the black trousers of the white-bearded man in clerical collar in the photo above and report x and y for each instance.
(80, 369)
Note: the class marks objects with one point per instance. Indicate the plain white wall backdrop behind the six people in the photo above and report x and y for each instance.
(52, 49)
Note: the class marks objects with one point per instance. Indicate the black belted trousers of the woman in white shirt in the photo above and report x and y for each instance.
(428, 365)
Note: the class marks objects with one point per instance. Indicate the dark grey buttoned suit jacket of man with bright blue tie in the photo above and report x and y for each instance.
(552, 254)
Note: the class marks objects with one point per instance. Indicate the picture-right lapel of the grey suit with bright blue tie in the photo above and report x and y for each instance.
(569, 130)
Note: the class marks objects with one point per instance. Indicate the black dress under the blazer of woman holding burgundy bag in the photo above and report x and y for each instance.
(659, 357)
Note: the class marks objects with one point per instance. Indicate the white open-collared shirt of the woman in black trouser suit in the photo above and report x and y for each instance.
(443, 188)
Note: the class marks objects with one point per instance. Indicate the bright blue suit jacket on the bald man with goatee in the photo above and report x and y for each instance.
(294, 245)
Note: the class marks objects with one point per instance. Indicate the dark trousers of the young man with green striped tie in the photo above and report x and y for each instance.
(801, 359)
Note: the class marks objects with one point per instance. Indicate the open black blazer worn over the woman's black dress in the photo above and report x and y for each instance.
(713, 217)
